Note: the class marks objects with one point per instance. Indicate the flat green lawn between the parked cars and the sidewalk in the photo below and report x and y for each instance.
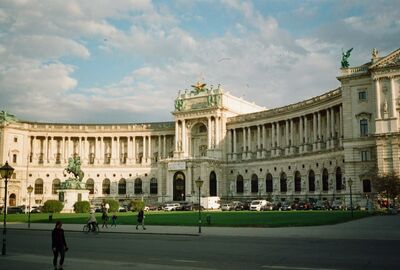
(227, 219)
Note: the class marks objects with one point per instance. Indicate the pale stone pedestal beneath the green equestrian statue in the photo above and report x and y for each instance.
(72, 191)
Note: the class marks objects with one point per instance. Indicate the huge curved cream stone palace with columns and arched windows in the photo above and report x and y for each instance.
(310, 149)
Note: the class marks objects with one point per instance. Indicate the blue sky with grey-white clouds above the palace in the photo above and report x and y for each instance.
(125, 61)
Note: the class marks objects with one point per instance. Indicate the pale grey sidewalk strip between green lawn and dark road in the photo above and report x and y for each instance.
(376, 227)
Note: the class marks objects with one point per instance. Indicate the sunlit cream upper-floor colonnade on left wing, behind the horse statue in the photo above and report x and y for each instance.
(114, 150)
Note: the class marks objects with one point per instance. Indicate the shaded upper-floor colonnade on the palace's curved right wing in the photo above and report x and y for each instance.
(316, 131)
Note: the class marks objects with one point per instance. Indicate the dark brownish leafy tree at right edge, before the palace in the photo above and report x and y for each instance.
(387, 184)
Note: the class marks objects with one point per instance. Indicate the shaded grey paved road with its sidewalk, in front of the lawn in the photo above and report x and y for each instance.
(370, 247)
